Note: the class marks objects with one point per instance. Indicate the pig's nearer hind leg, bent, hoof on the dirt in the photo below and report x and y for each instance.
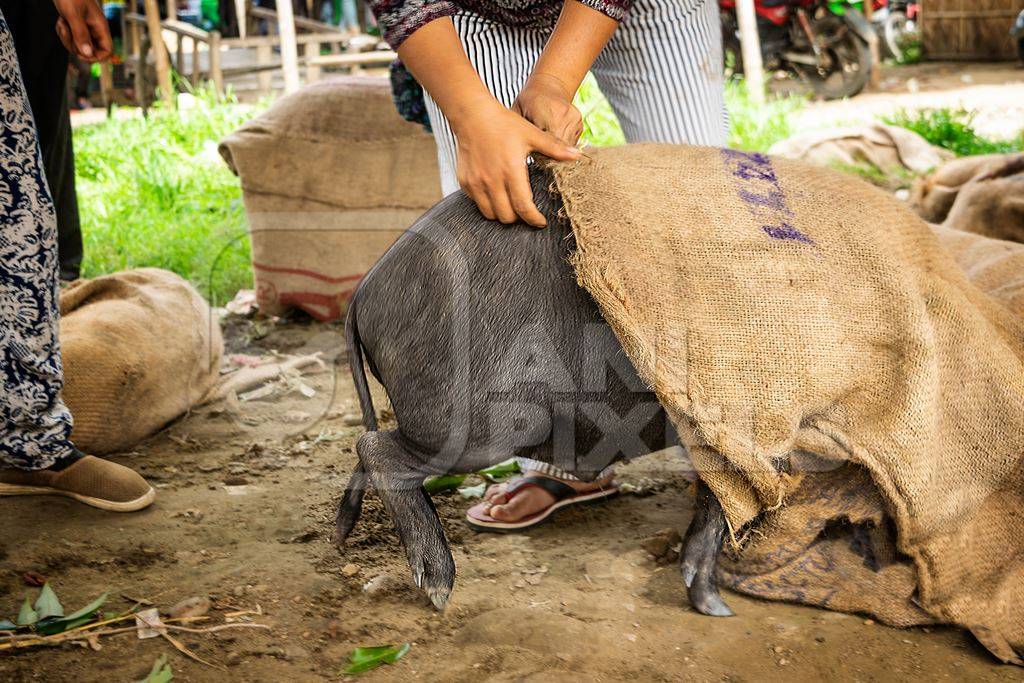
(398, 479)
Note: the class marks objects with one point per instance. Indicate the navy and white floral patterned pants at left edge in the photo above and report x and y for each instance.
(35, 425)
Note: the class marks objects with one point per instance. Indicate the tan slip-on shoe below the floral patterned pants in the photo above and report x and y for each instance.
(92, 481)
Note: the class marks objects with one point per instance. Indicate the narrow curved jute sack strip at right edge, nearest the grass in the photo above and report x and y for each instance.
(933, 196)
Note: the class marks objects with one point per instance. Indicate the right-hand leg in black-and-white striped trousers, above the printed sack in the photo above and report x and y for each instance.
(662, 72)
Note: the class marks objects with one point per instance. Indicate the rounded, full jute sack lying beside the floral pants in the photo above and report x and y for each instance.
(140, 349)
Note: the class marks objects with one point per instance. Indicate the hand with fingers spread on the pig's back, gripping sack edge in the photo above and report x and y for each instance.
(494, 145)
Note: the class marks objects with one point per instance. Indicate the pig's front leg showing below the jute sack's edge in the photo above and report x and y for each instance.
(700, 559)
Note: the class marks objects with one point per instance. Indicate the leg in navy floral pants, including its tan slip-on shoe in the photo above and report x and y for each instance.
(36, 453)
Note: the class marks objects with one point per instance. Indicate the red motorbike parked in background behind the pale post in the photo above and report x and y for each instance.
(823, 44)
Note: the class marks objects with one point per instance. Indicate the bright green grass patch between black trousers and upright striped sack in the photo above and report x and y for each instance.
(155, 193)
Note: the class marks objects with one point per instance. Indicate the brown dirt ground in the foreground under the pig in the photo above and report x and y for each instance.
(244, 515)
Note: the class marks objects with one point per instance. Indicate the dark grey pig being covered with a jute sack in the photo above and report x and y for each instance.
(487, 349)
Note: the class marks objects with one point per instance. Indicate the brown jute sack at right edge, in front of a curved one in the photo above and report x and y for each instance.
(992, 207)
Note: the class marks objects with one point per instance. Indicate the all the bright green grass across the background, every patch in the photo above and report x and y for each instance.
(155, 193)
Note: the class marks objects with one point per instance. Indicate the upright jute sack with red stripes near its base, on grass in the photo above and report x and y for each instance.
(331, 177)
